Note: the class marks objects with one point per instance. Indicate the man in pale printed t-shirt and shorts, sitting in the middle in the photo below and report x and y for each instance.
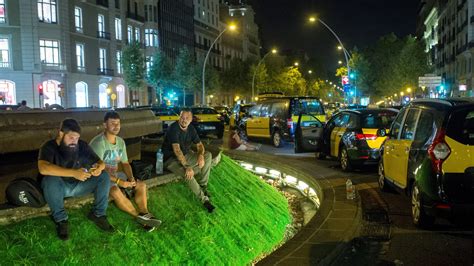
(112, 150)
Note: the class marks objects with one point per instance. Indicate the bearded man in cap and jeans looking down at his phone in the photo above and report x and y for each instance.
(70, 169)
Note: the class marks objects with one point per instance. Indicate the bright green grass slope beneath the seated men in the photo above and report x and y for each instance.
(250, 220)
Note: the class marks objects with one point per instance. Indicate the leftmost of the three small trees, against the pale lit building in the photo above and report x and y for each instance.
(133, 68)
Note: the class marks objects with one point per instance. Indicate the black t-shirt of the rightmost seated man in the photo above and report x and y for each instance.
(175, 135)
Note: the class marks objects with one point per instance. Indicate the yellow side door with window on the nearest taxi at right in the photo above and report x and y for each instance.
(397, 149)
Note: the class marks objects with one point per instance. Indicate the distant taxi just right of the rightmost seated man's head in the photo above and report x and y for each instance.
(207, 120)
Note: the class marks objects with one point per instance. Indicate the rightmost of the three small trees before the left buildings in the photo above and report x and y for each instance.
(184, 75)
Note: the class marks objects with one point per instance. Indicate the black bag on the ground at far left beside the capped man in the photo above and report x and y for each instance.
(25, 191)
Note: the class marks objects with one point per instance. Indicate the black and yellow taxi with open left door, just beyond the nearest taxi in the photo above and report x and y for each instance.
(350, 136)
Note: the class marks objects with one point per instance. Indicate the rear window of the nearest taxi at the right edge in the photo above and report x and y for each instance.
(461, 126)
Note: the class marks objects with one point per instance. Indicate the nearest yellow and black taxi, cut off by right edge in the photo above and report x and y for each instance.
(429, 156)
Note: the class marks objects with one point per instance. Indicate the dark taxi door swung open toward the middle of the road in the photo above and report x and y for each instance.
(308, 134)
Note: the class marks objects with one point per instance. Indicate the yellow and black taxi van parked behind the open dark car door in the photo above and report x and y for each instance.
(274, 117)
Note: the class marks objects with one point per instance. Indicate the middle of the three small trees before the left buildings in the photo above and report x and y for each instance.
(160, 73)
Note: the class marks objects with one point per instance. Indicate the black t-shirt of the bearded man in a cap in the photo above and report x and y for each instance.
(49, 151)
